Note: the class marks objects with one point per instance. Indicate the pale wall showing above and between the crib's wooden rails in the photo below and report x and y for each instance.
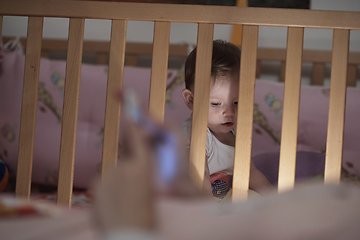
(186, 33)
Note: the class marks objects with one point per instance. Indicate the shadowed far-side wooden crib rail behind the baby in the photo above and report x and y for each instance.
(135, 51)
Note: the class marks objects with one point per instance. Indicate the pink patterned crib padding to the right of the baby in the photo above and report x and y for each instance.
(313, 118)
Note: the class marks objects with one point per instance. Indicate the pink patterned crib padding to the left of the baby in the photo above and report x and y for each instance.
(49, 113)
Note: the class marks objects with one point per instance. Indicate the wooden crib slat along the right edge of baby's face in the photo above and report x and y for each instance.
(245, 112)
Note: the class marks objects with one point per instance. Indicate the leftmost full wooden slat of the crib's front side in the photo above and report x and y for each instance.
(28, 108)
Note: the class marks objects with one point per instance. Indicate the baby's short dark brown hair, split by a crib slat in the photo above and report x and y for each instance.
(225, 60)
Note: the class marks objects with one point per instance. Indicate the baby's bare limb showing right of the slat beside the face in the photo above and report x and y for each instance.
(258, 182)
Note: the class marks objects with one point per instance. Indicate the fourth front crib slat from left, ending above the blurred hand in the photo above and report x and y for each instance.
(159, 70)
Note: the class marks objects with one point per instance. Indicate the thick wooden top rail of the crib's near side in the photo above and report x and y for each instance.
(183, 13)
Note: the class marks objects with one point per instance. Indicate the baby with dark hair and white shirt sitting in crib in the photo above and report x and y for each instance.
(220, 142)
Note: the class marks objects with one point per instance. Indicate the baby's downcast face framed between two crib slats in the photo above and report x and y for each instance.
(223, 104)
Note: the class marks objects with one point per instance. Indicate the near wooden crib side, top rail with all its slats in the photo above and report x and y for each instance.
(162, 15)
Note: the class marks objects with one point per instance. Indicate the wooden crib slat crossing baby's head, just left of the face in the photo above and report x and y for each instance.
(201, 99)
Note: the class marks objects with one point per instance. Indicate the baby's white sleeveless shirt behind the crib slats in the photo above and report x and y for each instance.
(220, 157)
